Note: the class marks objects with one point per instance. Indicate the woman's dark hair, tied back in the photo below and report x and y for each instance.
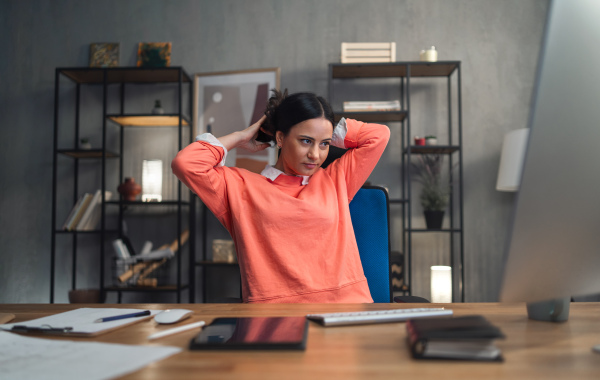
(284, 111)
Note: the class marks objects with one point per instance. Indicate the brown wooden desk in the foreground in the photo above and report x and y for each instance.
(532, 350)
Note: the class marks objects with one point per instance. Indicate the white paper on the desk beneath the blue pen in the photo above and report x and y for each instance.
(82, 320)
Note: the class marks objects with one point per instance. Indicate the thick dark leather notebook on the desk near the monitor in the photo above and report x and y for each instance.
(463, 338)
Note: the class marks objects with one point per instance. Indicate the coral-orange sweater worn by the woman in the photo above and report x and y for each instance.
(294, 242)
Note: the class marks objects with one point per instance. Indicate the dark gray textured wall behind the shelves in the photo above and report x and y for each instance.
(497, 42)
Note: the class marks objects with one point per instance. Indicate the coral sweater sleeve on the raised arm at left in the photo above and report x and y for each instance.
(199, 167)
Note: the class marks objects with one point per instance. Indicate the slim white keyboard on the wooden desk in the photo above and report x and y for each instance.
(376, 316)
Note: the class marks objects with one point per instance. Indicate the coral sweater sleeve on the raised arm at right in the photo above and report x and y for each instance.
(365, 143)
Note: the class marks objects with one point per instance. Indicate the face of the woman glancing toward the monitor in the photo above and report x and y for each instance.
(305, 147)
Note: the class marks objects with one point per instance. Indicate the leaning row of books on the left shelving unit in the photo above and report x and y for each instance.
(85, 215)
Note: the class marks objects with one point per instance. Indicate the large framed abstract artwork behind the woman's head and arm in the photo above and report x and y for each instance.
(226, 102)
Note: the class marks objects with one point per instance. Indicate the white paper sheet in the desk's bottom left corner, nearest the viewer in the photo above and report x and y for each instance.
(27, 358)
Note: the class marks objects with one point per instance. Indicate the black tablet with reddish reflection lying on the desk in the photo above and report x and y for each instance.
(253, 333)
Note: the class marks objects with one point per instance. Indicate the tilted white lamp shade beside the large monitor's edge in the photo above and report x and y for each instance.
(511, 160)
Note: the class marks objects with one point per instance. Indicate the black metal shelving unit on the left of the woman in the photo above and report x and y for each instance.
(107, 78)
